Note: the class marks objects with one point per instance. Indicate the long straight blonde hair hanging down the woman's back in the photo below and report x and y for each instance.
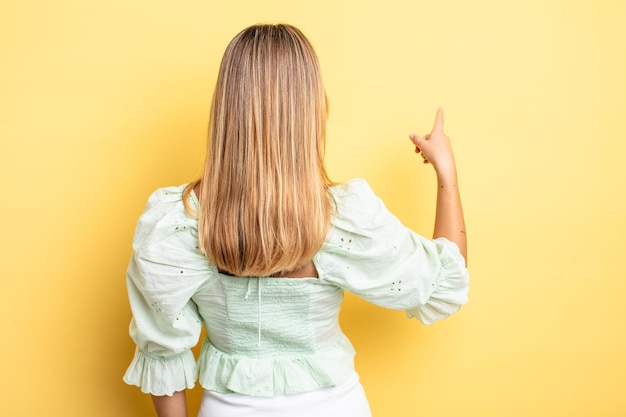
(265, 205)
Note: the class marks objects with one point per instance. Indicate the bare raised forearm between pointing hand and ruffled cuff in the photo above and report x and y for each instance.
(449, 219)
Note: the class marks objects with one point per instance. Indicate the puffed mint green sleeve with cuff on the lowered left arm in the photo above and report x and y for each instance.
(165, 271)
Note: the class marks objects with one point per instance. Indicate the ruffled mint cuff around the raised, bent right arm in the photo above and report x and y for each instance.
(451, 286)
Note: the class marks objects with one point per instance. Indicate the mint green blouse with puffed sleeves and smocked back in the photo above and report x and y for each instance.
(273, 336)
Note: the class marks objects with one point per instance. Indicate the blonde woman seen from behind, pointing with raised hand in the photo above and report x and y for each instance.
(261, 248)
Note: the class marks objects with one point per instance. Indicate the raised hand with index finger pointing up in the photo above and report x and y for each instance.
(435, 146)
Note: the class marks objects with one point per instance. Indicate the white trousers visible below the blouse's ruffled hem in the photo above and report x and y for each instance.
(341, 401)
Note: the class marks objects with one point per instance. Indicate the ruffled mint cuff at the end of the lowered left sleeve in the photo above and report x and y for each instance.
(162, 376)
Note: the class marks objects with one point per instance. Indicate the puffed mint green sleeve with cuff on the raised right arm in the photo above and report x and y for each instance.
(370, 253)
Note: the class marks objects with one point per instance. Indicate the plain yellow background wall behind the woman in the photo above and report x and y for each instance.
(101, 102)
